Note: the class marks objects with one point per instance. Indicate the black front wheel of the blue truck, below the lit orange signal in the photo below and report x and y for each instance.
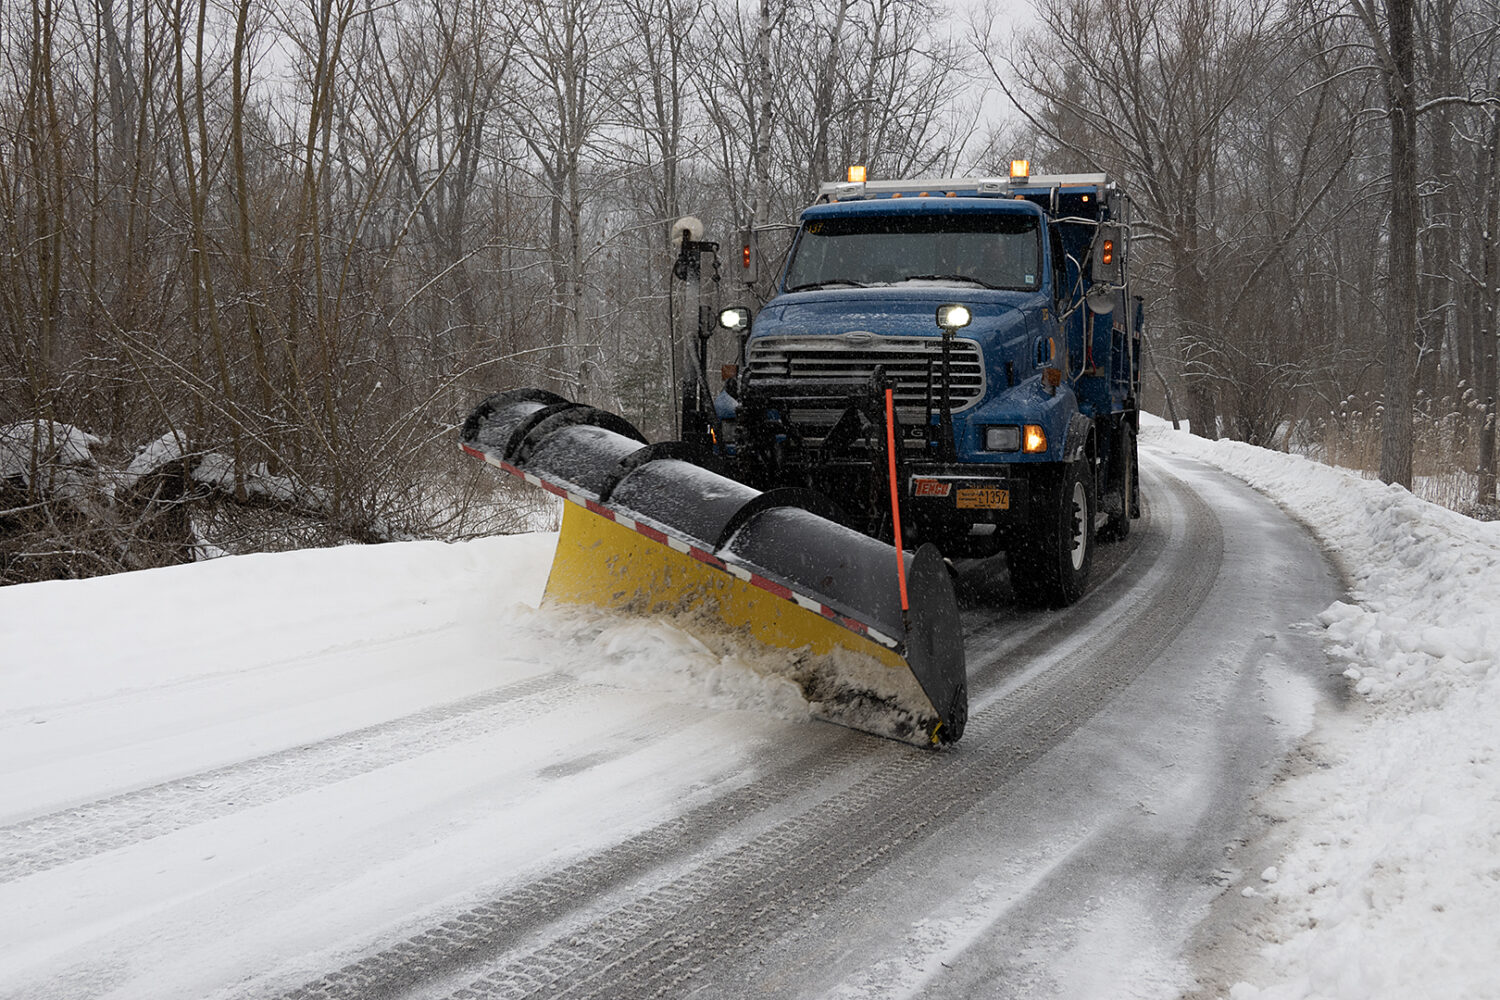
(1051, 564)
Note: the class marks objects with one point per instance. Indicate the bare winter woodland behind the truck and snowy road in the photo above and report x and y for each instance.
(260, 257)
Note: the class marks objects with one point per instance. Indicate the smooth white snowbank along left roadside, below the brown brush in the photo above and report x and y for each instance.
(71, 639)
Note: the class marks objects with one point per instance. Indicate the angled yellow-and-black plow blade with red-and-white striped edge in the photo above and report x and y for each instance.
(649, 533)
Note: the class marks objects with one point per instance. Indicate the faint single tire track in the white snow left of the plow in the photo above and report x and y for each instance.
(130, 818)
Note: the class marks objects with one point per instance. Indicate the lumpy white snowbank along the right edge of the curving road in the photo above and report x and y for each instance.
(1390, 882)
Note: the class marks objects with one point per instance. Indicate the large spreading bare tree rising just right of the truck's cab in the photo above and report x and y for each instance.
(1174, 98)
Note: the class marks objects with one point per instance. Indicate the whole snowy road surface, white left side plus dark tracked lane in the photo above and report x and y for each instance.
(380, 773)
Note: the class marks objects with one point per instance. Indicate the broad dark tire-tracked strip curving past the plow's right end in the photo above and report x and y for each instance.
(743, 891)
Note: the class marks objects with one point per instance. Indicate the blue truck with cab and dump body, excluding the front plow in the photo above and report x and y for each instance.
(998, 313)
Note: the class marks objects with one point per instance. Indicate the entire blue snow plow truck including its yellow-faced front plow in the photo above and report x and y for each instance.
(947, 368)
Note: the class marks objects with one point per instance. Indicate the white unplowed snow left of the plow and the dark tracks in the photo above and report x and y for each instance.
(247, 771)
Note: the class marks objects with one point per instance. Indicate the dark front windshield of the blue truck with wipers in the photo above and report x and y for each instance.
(992, 250)
